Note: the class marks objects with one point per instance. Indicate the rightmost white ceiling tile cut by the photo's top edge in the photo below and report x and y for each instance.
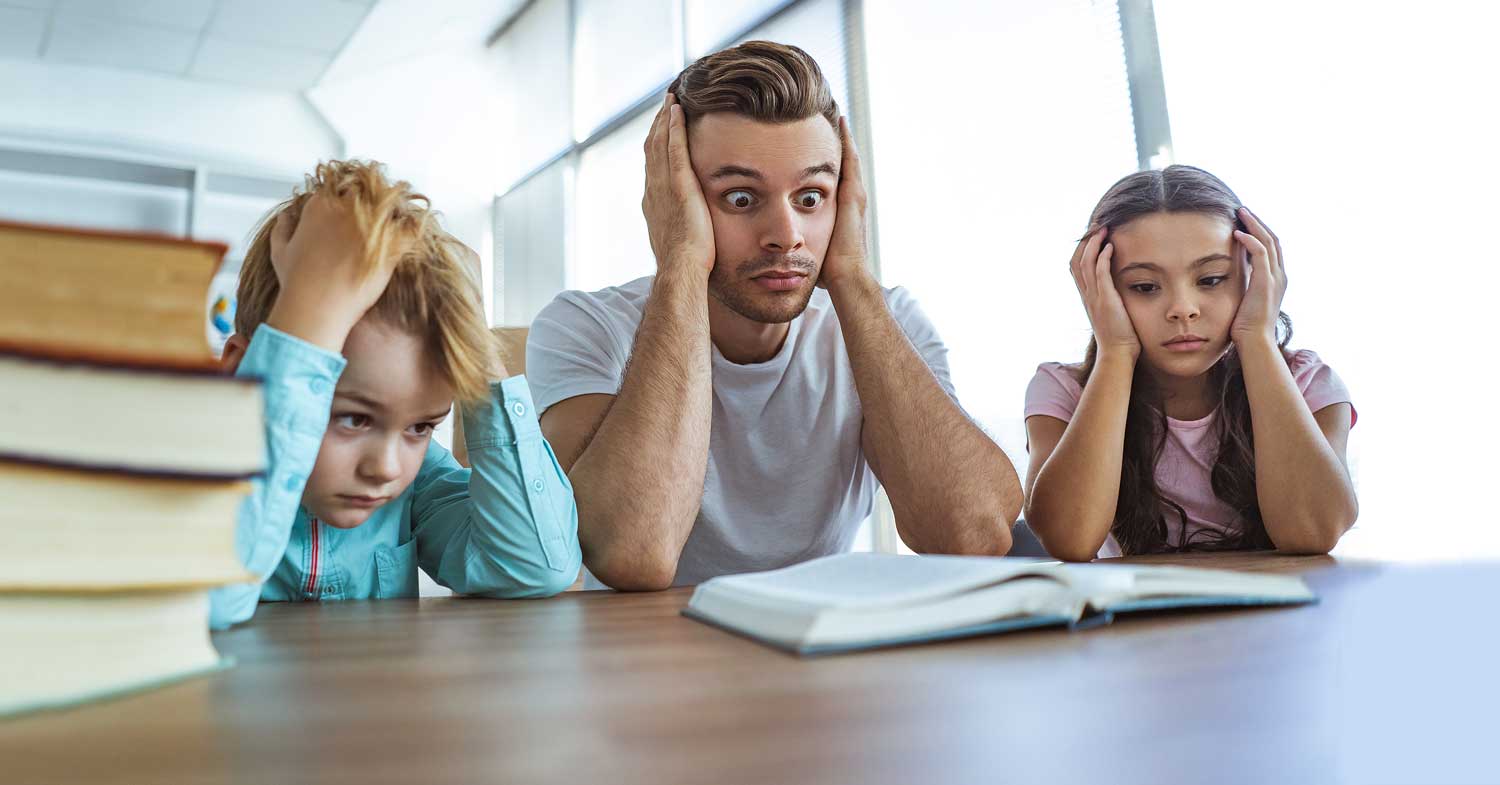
(320, 26)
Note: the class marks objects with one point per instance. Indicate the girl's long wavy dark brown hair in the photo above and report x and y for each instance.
(1141, 526)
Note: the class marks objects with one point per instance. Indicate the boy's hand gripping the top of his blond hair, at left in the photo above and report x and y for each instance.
(326, 281)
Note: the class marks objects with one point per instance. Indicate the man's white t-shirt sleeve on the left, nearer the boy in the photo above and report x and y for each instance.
(575, 347)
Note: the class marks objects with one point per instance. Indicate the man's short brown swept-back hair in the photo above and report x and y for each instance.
(761, 80)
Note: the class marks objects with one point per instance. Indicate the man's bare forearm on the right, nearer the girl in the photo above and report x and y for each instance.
(952, 487)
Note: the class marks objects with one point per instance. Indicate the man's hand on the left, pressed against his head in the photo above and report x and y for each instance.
(677, 215)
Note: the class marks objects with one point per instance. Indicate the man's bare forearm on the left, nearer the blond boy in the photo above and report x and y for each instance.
(641, 480)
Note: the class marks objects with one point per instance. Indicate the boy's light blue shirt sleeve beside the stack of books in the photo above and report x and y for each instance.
(299, 382)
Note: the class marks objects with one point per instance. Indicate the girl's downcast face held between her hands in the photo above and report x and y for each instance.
(1181, 277)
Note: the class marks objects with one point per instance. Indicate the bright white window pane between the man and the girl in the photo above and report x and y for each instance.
(997, 128)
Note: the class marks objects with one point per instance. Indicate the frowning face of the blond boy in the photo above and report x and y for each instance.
(385, 409)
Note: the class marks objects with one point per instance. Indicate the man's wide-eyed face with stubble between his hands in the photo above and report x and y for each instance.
(772, 193)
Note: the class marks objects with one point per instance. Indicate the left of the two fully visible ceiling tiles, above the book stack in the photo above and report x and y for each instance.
(115, 44)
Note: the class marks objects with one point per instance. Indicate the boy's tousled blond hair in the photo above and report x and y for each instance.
(434, 292)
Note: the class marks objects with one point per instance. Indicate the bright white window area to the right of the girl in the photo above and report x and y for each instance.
(1361, 134)
